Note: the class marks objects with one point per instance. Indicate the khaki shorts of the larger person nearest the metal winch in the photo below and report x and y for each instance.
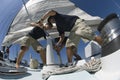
(80, 31)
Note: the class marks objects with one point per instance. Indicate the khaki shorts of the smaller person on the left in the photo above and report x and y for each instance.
(29, 41)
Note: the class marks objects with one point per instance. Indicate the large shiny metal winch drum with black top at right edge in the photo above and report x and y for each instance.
(110, 33)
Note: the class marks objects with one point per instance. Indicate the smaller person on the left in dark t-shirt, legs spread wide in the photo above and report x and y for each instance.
(31, 39)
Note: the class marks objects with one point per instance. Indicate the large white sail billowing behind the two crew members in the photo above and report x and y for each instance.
(33, 11)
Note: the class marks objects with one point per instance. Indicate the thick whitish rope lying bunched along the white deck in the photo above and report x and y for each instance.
(91, 66)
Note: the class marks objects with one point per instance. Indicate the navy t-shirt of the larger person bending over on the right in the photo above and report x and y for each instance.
(64, 22)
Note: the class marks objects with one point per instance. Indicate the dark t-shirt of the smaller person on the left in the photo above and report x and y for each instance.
(37, 33)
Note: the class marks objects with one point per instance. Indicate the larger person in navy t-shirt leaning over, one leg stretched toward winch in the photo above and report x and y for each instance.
(76, 26)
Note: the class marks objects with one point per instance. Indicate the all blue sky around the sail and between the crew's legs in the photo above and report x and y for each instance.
(100, 8)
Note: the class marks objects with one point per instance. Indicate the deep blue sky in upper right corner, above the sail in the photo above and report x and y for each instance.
(99, 7)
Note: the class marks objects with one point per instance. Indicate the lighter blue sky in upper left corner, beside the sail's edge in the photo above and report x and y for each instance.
(7, 13)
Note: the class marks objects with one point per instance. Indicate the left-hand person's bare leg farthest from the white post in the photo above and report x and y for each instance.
(20, 56)
